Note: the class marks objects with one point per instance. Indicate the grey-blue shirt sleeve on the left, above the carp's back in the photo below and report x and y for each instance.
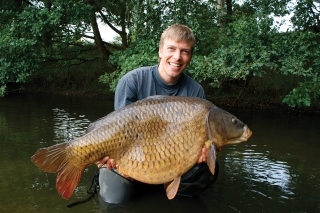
(125, 93)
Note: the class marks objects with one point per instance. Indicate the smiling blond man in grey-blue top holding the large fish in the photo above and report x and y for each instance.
(176, 47)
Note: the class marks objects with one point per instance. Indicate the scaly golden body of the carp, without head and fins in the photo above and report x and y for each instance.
(151, 141)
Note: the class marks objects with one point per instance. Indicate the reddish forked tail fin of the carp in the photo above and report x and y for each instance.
(54, 159)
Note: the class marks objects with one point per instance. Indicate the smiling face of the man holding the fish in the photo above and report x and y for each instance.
(174, 56)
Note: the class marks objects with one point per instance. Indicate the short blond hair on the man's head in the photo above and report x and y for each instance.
(178, 32)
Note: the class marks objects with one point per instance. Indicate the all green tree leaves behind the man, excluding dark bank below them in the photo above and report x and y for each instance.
(237, 44)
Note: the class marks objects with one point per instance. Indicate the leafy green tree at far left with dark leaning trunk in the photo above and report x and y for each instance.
(35, 34)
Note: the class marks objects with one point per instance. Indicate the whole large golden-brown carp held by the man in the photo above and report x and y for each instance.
(154, 140)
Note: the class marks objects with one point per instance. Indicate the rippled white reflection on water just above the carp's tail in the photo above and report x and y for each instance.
(68, 126)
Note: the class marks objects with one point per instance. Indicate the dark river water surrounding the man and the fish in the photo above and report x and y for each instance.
(277, 170)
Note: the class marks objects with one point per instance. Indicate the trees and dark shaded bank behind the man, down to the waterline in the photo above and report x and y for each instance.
(242, 58)
